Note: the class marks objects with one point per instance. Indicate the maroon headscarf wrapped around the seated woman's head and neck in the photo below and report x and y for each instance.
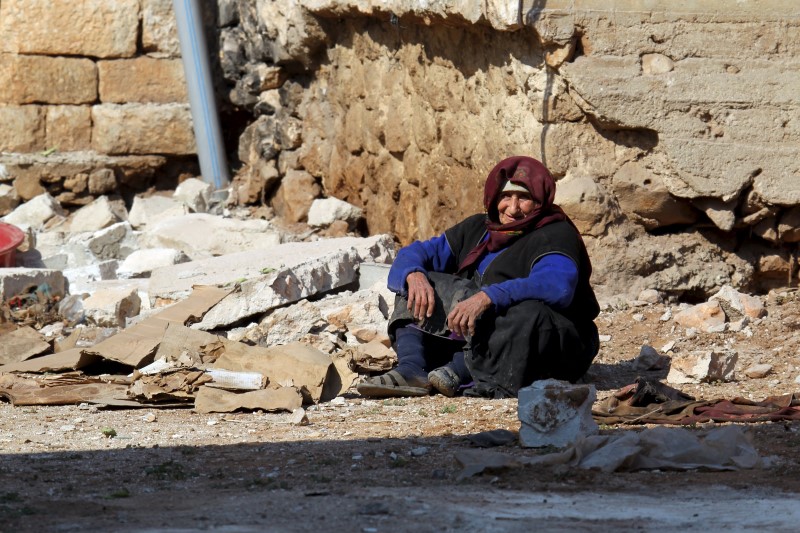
(532, 175)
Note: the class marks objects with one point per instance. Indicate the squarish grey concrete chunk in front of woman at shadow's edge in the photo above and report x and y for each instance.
(555, 413)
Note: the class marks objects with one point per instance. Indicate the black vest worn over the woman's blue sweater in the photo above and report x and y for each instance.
(517, 259)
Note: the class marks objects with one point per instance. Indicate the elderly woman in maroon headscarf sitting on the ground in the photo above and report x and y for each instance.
(498, 301)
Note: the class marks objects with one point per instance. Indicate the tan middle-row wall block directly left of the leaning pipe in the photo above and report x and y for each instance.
(142, 79)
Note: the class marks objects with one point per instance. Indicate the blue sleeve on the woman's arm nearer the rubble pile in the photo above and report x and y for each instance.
(420, 256)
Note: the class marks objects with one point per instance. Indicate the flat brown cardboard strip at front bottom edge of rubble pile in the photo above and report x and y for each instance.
(211, 400)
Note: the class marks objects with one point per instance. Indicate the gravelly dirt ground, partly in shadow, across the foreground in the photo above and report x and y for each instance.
(388, 465)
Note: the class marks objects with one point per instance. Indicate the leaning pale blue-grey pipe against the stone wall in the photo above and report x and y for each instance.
(210, 148)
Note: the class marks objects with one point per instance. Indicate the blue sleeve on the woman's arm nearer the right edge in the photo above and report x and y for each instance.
(552, 280)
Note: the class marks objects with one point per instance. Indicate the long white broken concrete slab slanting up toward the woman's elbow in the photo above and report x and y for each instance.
(272, 277)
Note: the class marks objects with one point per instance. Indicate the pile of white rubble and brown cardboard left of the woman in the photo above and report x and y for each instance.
(180, 302)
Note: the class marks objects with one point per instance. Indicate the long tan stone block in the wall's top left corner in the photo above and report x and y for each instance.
(94, 28)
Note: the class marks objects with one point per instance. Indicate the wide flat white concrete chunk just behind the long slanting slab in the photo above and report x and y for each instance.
(200, 235)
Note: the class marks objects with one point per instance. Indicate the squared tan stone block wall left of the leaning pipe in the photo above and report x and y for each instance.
(94, 77)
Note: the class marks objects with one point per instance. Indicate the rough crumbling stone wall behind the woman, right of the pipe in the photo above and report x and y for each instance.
(671, 127)
